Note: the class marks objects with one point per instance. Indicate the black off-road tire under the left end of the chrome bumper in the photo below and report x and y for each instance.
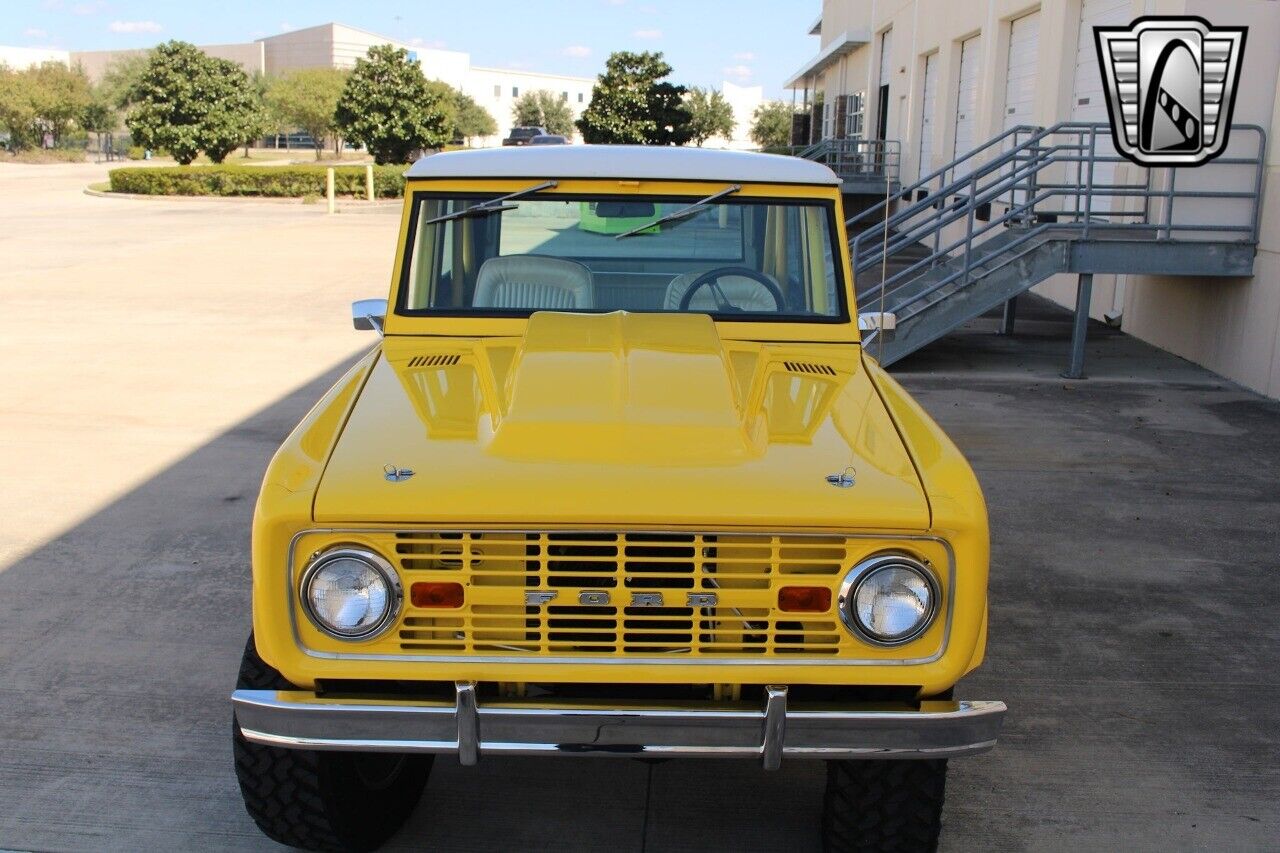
(322, 801)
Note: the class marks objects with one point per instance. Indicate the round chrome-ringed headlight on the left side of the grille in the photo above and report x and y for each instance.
(351, 594)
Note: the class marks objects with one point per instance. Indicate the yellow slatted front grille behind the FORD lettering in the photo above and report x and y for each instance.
(743, 571)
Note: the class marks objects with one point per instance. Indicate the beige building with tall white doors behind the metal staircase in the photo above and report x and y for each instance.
(943, 77)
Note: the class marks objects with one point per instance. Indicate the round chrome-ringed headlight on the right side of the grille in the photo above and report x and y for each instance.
(889, 600)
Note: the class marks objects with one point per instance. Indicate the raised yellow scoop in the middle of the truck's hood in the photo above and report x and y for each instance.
(650, 389)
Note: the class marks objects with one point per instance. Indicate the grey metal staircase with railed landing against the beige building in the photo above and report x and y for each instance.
(1034, 203)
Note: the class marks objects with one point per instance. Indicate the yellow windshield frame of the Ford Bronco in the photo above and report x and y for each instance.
(839, 327)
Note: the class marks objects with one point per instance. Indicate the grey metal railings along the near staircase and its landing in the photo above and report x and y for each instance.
(1026, 163)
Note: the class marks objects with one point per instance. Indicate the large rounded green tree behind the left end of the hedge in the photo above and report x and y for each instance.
(186, 102)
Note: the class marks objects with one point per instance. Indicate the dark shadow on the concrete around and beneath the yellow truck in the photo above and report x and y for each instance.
(1133, 635)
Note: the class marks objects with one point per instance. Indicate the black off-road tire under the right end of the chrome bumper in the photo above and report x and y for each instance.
(884, 806)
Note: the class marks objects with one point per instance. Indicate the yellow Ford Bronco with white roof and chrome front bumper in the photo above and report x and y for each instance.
(618, 480)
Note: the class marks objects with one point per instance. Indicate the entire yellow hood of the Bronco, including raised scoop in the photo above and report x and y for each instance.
(619, 419)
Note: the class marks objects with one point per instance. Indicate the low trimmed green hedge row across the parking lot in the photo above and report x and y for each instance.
(257, 181)
